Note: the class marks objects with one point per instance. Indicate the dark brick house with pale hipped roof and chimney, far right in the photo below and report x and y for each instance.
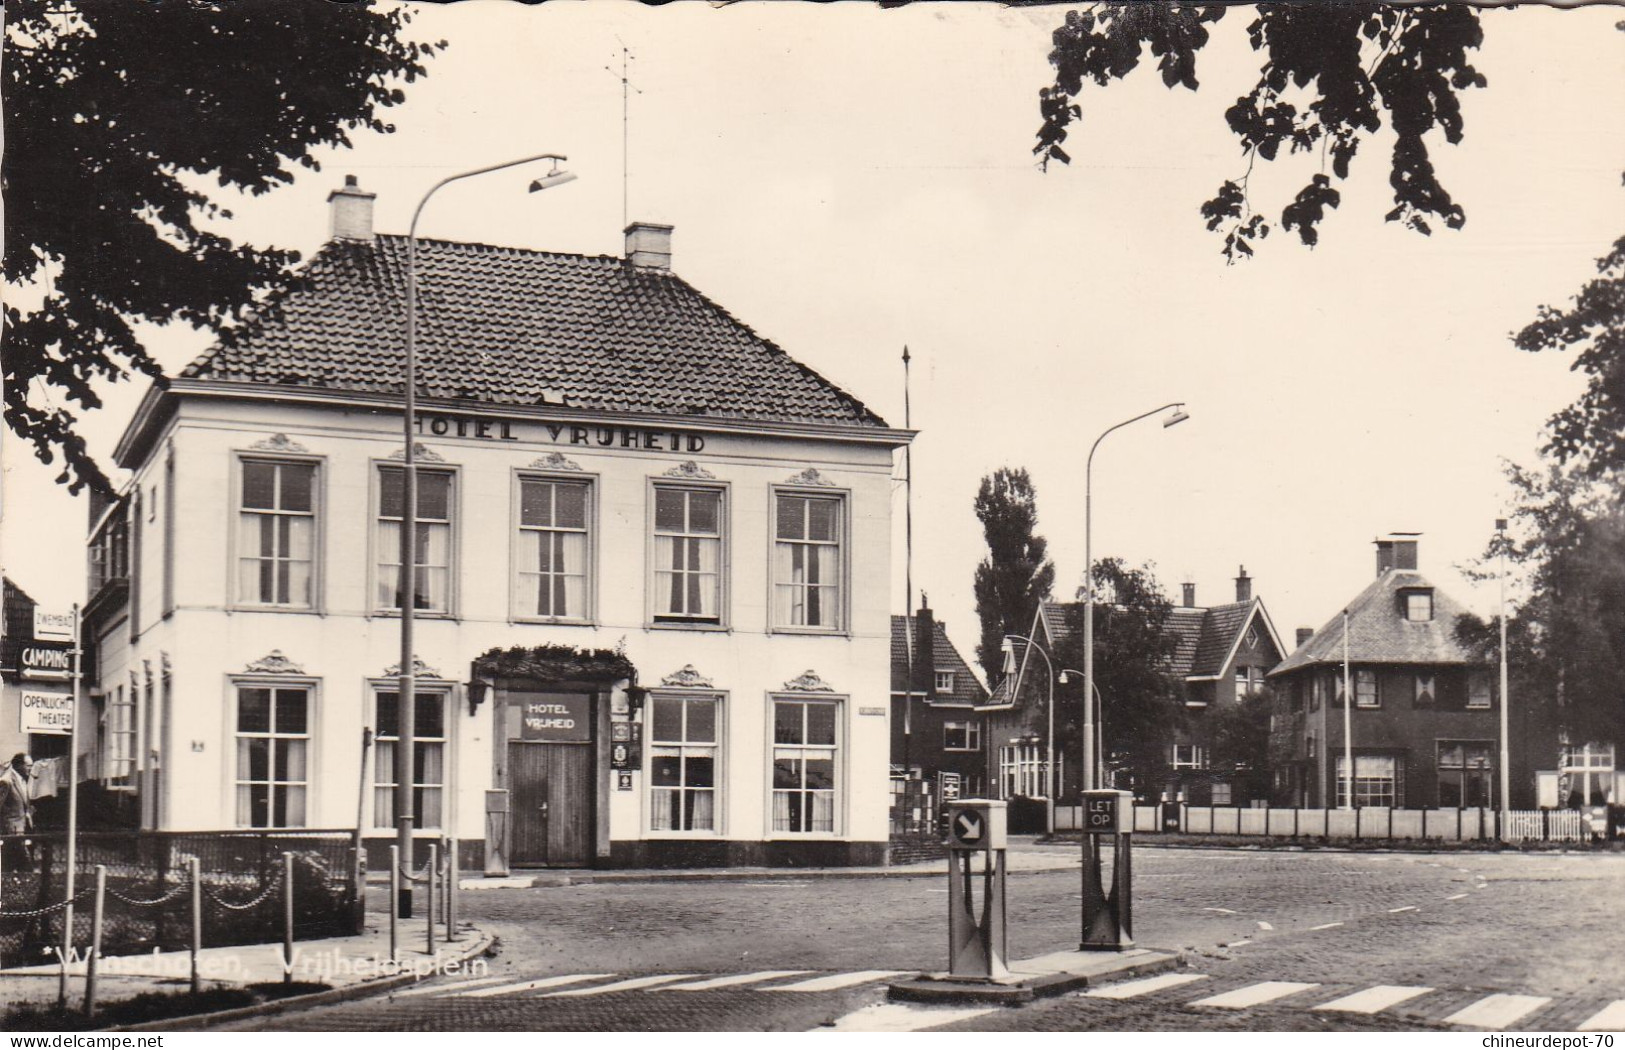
(1424, 711)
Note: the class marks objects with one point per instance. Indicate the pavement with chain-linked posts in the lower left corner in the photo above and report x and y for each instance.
(340, 968)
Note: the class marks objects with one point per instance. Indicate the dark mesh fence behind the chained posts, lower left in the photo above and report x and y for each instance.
(149, 895)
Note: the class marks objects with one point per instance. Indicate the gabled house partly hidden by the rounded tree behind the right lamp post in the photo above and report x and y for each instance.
(1223, 656)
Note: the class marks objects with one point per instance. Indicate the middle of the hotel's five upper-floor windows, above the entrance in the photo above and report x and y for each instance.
(553, 549)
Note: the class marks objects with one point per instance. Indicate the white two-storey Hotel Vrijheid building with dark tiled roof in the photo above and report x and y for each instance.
(654, 570)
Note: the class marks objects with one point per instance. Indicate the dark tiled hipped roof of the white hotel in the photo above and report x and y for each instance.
(522, 328)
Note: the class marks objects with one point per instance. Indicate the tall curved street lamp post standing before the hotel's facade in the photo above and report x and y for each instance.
(407, 688)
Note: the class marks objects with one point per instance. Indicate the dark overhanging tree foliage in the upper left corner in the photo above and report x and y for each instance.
(116, 119)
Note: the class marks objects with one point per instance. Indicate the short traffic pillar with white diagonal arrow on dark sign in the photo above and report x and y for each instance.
(977, 947)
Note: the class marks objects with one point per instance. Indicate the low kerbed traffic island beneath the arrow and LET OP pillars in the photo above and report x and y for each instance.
(1039, 978)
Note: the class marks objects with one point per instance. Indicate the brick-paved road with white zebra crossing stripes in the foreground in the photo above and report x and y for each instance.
(1389, 942)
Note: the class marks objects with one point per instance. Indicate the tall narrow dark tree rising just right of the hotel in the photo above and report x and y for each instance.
(1016, 575)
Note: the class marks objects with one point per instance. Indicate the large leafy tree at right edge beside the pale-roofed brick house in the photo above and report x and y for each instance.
(1567, 635)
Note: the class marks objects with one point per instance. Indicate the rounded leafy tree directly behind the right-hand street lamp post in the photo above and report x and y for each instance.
(1135, 644)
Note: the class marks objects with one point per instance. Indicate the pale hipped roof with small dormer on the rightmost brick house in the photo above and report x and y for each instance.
(1379, 631)
